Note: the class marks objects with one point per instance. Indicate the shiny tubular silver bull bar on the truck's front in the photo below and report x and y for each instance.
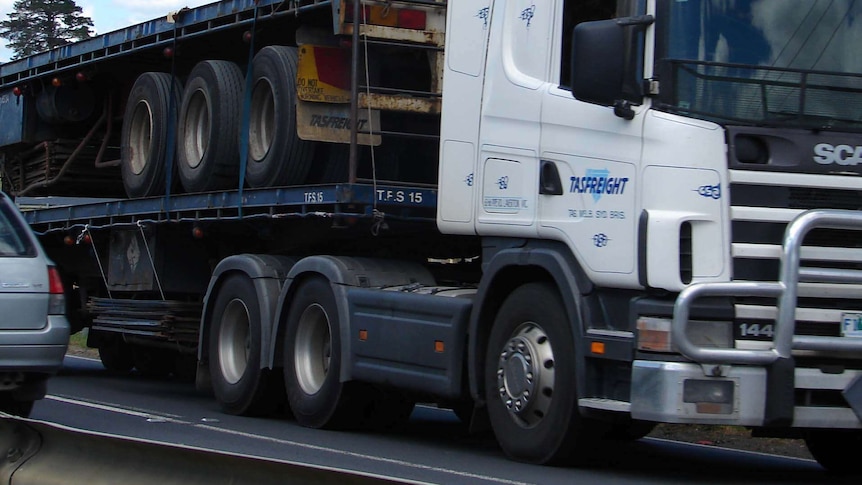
(785, 290)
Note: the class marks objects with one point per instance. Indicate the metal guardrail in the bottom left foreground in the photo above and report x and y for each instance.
(34, 452)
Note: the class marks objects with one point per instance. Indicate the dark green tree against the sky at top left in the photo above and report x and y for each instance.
(38, 25)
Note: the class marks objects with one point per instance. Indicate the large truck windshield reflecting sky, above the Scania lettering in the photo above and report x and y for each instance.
(762, 62)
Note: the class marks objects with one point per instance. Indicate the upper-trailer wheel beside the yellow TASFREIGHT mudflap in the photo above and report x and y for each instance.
(276, 154)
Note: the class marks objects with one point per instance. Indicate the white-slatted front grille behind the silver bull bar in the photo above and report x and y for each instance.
(761, 208)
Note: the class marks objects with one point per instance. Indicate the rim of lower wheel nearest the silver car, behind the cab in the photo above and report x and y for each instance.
(234, 344)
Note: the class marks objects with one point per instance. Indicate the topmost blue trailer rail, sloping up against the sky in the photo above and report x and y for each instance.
(156, 33)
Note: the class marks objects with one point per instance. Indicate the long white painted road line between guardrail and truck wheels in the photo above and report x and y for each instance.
(174, 420)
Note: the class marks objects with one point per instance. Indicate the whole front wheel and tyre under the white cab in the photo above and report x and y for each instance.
(529, 378)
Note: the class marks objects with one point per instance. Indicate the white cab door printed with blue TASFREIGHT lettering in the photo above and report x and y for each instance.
(595, 154)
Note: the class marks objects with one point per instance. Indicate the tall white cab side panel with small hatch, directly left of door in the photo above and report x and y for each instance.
(517, 69)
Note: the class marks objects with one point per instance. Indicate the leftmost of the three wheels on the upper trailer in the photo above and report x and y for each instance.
(147, 117)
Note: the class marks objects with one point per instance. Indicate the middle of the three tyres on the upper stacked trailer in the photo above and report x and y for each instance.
(209, 123)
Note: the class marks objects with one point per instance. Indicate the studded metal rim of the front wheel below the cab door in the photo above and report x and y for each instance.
(525, 375)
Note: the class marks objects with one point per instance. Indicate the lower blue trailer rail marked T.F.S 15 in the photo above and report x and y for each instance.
(354, 200)
